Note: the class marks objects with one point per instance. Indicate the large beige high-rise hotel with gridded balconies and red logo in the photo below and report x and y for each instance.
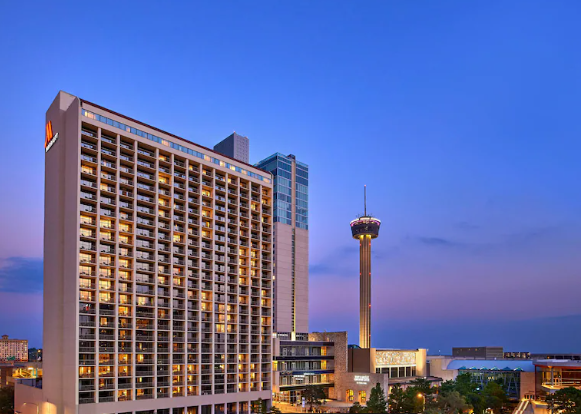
(157, 268)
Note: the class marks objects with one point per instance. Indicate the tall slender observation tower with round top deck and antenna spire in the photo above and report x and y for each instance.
(365, 228)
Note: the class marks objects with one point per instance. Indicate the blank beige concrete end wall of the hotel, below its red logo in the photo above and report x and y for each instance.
(61, 255)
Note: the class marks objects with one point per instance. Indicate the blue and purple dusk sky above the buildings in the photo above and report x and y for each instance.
(462, 117)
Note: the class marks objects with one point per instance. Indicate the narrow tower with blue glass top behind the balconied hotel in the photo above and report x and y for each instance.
(291, 244)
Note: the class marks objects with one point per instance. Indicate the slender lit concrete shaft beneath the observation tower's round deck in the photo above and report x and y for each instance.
(365, 291)
